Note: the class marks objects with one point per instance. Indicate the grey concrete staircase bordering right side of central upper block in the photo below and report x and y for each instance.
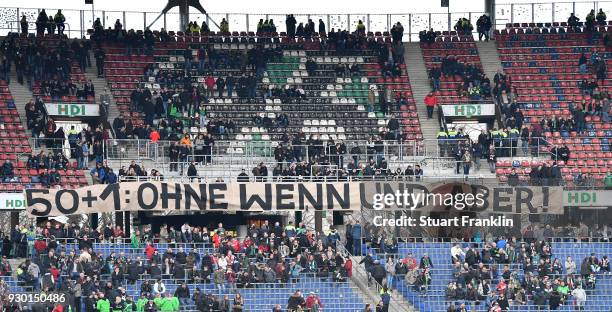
(419, 81)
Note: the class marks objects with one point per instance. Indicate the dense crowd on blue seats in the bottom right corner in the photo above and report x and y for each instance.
(506, 272)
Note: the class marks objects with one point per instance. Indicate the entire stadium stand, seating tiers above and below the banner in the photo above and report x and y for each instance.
(187, 90)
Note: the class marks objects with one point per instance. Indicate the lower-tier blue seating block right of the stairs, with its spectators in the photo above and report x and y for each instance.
(432, 293)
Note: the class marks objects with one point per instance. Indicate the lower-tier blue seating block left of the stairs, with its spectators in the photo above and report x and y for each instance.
(218, 265)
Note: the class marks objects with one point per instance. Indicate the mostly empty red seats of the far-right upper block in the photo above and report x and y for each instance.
(544, 71)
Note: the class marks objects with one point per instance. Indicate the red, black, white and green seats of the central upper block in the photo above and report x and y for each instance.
(337, 106)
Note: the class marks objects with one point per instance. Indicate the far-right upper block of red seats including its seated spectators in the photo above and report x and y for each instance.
(548, 84)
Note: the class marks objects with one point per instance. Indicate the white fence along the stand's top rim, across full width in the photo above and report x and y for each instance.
(413, 22)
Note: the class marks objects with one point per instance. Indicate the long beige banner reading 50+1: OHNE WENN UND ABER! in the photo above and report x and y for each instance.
(267, 197)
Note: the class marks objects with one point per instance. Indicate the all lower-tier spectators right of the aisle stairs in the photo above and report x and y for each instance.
(496, 270)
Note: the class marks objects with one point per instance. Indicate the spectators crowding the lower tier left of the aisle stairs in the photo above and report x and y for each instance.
(268, 255)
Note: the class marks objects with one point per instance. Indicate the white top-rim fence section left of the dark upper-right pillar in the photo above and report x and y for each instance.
(413, 22)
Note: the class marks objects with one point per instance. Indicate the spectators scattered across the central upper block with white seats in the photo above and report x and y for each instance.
(178, 105)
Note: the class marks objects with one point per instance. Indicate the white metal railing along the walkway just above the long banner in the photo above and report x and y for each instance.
(253, 152)
